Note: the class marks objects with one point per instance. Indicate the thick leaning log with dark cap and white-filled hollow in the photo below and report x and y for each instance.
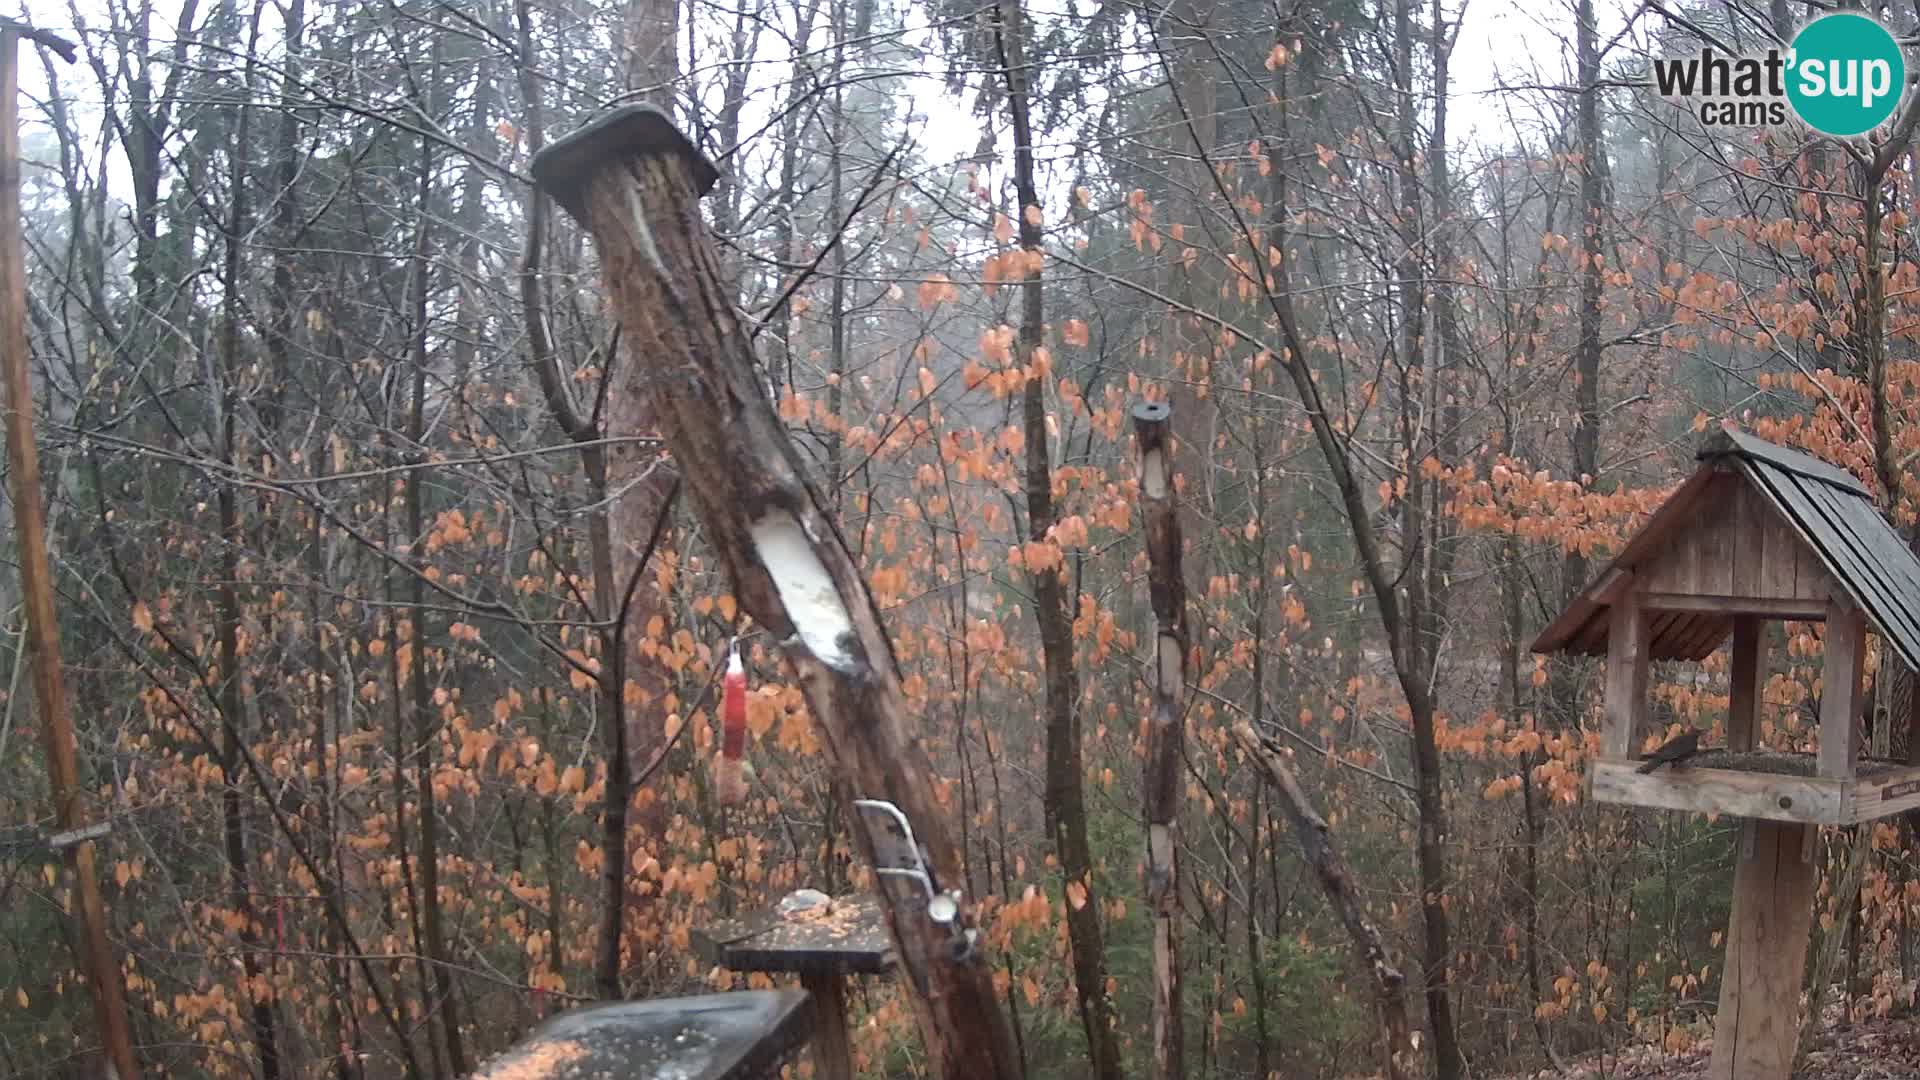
(635, 182)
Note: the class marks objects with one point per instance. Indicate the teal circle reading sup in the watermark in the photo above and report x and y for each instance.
(1848, 74)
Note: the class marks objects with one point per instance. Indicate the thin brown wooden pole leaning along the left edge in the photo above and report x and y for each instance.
(37, 579)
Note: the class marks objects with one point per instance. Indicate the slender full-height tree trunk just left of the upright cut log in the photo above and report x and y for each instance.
(1065, 798)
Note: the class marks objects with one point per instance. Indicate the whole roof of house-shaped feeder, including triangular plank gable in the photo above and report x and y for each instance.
(1767, 531)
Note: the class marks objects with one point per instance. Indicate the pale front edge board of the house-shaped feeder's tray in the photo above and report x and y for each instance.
(1729, 793)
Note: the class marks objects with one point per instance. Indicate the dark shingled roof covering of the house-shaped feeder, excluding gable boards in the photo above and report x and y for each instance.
(1827, 508)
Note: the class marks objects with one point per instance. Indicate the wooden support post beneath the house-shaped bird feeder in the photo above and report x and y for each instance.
(1765, 956)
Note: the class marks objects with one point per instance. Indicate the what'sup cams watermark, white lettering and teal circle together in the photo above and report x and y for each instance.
(1844, 76)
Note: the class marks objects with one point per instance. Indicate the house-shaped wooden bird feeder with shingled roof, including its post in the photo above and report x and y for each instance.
(1758, 533)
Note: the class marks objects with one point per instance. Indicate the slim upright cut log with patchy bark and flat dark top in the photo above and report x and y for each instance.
(1166, 727)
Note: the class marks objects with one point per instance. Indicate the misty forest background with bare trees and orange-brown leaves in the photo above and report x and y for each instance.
(406, 745)
